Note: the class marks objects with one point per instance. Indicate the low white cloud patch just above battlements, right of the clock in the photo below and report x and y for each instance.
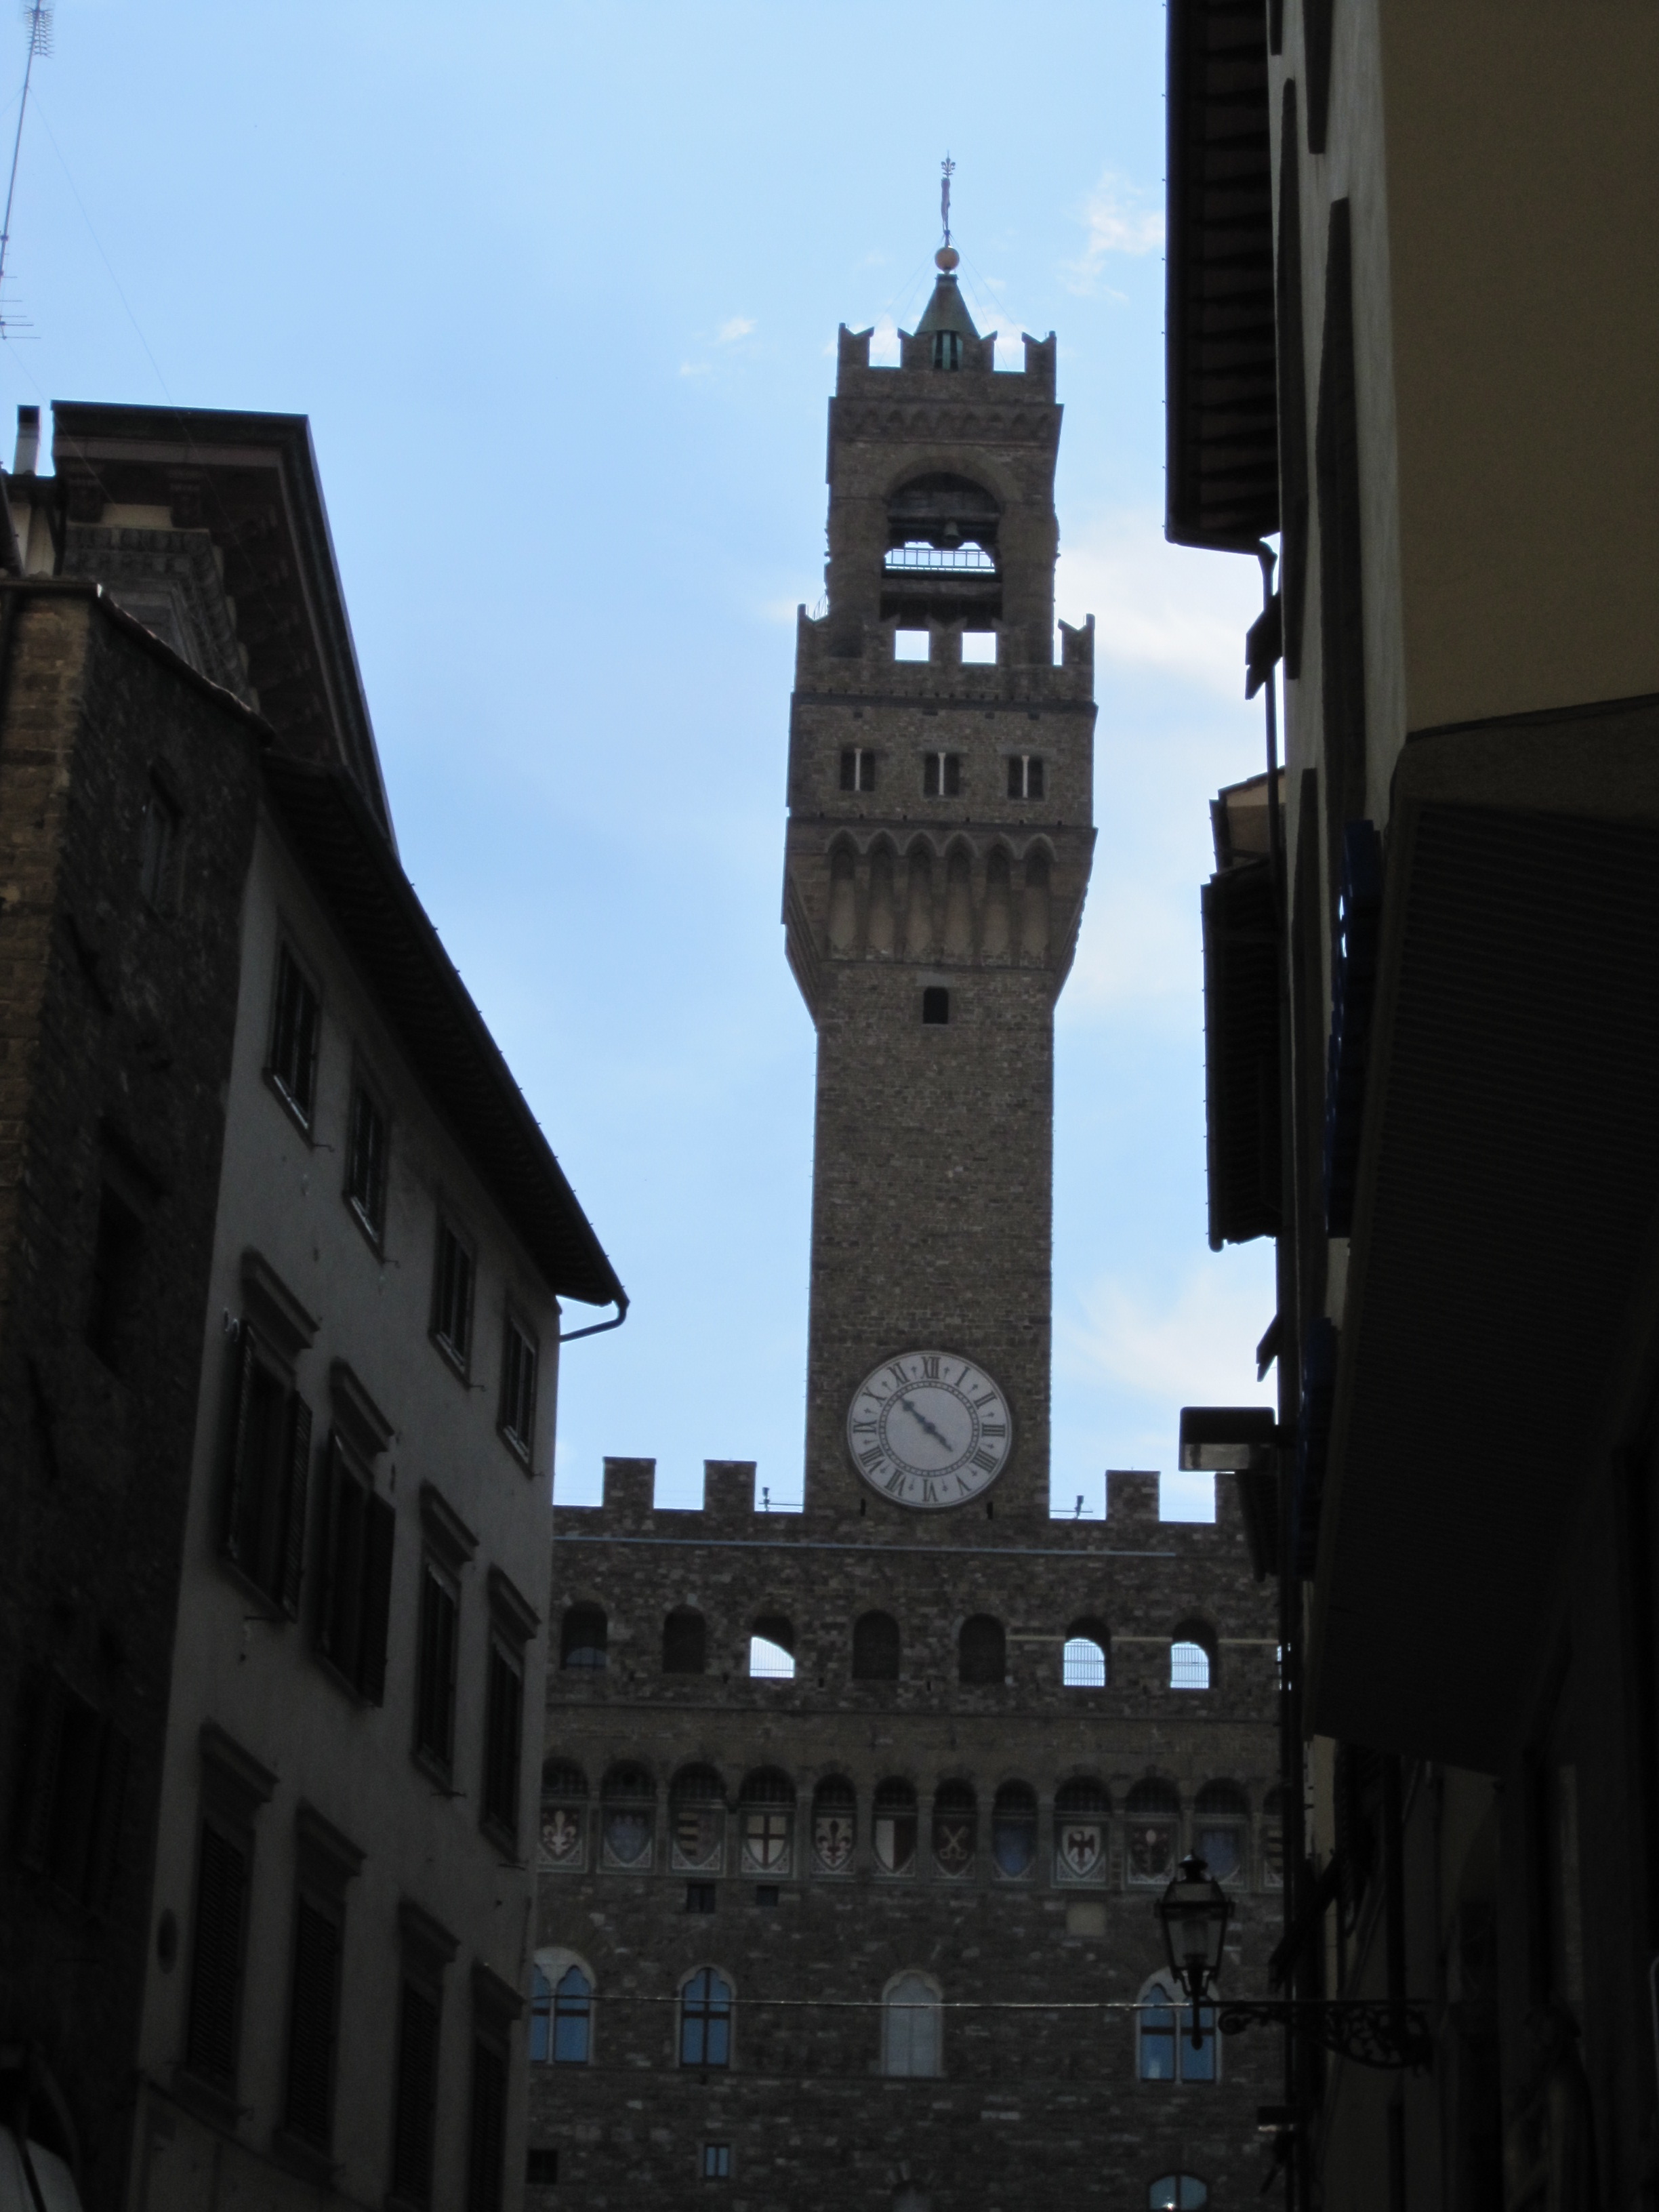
(1196, 1348)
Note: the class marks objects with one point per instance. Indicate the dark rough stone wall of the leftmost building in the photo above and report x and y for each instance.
(116, 1027)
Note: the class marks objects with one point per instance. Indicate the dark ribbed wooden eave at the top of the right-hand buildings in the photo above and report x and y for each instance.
(1220, 351)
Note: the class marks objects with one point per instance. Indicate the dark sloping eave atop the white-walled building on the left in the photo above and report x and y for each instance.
(428, 1008)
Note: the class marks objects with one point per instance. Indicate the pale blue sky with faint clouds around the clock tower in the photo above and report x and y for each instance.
(559, 289)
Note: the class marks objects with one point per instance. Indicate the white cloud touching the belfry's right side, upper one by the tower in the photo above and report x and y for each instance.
(1158, 605)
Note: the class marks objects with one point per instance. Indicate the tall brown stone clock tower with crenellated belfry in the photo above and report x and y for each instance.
(941, 773)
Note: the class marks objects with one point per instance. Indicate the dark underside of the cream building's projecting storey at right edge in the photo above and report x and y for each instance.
(1503, 1288)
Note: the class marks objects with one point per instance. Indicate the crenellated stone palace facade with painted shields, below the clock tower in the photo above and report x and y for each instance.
(1032, 2105)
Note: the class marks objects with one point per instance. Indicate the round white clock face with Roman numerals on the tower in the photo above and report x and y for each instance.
(930, 1430)
